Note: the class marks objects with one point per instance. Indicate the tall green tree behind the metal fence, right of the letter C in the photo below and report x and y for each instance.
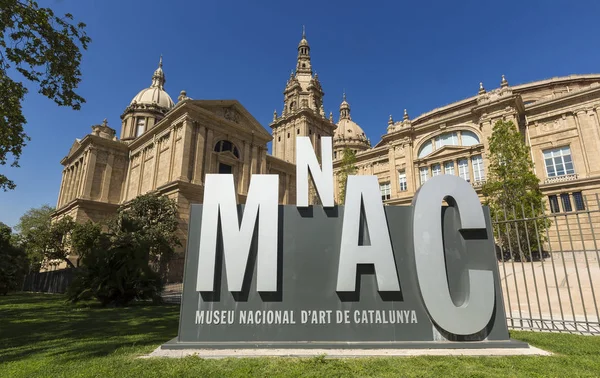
(513, 193)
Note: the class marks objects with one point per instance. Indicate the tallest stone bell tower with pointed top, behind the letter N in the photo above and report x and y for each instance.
(303, 113)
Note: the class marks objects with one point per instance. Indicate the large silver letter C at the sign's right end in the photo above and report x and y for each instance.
(476, 311)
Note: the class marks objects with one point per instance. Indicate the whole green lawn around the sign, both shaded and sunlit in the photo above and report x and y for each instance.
(41, 336)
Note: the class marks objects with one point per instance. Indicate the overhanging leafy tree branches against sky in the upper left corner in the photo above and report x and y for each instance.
(45, 49)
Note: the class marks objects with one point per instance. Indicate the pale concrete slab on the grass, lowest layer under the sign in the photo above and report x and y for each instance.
(342, 353)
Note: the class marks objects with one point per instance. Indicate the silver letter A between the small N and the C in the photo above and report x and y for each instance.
(365, 189)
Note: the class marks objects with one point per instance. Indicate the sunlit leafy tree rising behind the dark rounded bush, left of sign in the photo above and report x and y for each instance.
(152, 220)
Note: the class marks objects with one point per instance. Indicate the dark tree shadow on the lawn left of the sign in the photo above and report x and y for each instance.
(32, 325)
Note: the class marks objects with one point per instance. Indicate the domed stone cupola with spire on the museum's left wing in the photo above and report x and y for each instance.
(147, 108)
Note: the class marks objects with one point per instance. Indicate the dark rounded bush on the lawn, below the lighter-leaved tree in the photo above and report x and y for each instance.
(116, 273)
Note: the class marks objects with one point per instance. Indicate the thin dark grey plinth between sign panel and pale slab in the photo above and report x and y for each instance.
(495, 344)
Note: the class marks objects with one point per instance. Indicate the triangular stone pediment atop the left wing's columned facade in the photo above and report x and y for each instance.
(233, 111)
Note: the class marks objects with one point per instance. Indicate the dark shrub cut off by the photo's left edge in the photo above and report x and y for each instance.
(13, 262)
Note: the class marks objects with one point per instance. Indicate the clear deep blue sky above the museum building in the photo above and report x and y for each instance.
(387, 55)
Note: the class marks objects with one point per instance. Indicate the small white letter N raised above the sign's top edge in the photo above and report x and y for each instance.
(323, 179)
